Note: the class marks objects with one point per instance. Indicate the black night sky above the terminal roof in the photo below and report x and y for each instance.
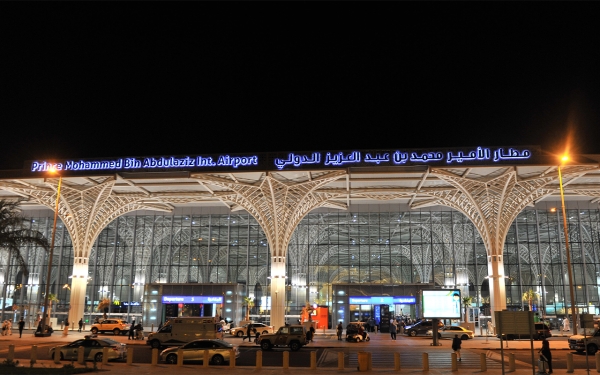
(142, 79)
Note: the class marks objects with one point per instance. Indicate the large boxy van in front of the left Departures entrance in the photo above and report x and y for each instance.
(181, 330)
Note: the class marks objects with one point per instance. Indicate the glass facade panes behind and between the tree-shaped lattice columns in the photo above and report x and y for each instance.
(365, 251)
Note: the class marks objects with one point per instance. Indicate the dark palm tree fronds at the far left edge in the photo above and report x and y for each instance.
(12, 236)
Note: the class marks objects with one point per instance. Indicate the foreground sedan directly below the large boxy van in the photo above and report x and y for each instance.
(219, 352)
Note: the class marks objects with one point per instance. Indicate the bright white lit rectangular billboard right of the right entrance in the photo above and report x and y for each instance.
(441, 303)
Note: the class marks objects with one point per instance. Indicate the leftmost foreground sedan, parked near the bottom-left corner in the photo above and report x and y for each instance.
(93, 348)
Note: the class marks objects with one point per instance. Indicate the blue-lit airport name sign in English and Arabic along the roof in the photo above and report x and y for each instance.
(295, 160)
